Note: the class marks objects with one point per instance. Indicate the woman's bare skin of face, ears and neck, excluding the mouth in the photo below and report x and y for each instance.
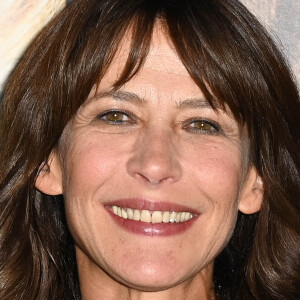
(157, 151)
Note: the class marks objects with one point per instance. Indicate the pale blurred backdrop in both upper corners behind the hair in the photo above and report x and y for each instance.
(20, 20)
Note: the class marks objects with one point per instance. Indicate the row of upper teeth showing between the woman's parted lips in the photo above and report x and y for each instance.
(152, 217)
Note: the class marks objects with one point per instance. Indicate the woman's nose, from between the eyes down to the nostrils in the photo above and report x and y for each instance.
(155, 159)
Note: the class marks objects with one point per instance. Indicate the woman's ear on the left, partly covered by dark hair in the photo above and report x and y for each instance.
(49, 179)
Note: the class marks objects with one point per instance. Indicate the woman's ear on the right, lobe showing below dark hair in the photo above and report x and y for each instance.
(252, 193)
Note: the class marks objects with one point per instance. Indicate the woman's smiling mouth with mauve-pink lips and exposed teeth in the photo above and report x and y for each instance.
(151, 218)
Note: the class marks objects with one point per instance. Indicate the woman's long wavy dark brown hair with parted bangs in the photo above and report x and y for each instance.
(223, 47)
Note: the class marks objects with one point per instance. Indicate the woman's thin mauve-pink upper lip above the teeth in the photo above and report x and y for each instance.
(151, 205)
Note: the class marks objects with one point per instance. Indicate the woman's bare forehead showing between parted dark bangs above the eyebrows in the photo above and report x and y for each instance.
(162, 76)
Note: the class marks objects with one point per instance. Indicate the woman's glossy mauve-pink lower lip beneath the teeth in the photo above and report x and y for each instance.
(150, 229)
